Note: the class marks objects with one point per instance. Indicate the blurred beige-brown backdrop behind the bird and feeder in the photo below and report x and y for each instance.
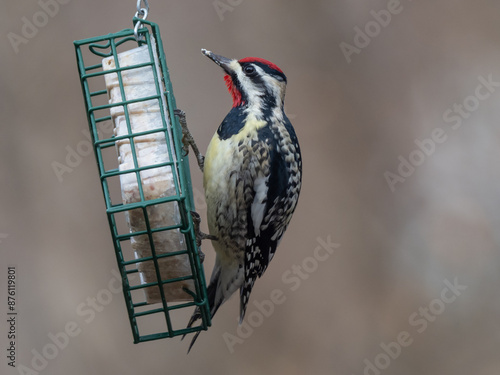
(398, 250)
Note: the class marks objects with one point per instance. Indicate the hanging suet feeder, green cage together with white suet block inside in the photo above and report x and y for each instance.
(145, 179)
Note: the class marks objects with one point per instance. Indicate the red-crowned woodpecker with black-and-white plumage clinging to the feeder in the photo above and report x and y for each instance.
(252, 178)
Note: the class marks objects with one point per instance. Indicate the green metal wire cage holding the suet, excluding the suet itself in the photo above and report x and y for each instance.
(149, 321)
